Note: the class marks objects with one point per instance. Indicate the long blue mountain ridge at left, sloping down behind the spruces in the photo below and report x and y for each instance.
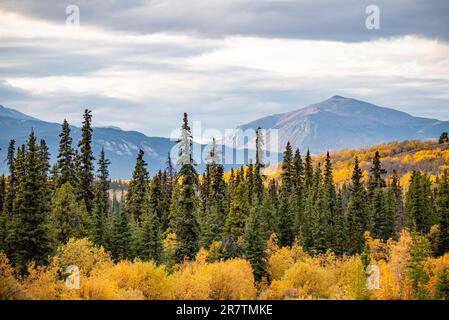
(120, 146)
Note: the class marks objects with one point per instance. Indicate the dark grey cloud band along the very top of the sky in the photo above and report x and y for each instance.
(313, 19)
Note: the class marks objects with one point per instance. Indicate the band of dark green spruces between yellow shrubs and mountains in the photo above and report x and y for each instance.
(169, 217)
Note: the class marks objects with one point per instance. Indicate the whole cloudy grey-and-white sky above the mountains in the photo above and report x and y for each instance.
(139, 64)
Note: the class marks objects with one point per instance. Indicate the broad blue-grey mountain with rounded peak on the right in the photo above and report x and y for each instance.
(340, 122)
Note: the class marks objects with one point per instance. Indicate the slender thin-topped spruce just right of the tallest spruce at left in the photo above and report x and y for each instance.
(101, 200)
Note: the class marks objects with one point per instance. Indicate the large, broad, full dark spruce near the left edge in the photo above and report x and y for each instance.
(32, 239)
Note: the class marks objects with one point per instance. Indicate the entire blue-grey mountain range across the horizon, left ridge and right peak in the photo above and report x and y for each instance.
(333, 124)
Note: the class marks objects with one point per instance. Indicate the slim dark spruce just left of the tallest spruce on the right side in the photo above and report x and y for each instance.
(357, 217)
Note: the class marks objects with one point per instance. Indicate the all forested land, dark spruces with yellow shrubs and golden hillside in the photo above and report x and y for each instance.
(310, 230)
